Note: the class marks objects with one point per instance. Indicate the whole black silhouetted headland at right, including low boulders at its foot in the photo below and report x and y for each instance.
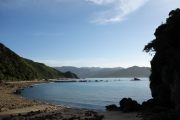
(165, 74)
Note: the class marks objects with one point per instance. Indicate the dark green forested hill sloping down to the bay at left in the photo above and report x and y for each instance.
(14, 67)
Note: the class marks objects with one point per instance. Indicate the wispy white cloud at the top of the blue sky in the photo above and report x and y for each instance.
(119, 10)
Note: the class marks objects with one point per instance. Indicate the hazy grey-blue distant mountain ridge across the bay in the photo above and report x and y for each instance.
(97, 72)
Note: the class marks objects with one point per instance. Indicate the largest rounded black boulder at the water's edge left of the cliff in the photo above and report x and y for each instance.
(129, 105)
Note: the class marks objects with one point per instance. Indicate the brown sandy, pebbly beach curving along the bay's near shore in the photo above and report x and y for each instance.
(15, 107)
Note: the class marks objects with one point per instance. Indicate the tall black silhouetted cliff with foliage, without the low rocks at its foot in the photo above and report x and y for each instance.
(165, 65)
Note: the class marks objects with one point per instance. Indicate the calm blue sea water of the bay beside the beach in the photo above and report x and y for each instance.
(90, 95)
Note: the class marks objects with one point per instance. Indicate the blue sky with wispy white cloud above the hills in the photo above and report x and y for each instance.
(83, 33)
